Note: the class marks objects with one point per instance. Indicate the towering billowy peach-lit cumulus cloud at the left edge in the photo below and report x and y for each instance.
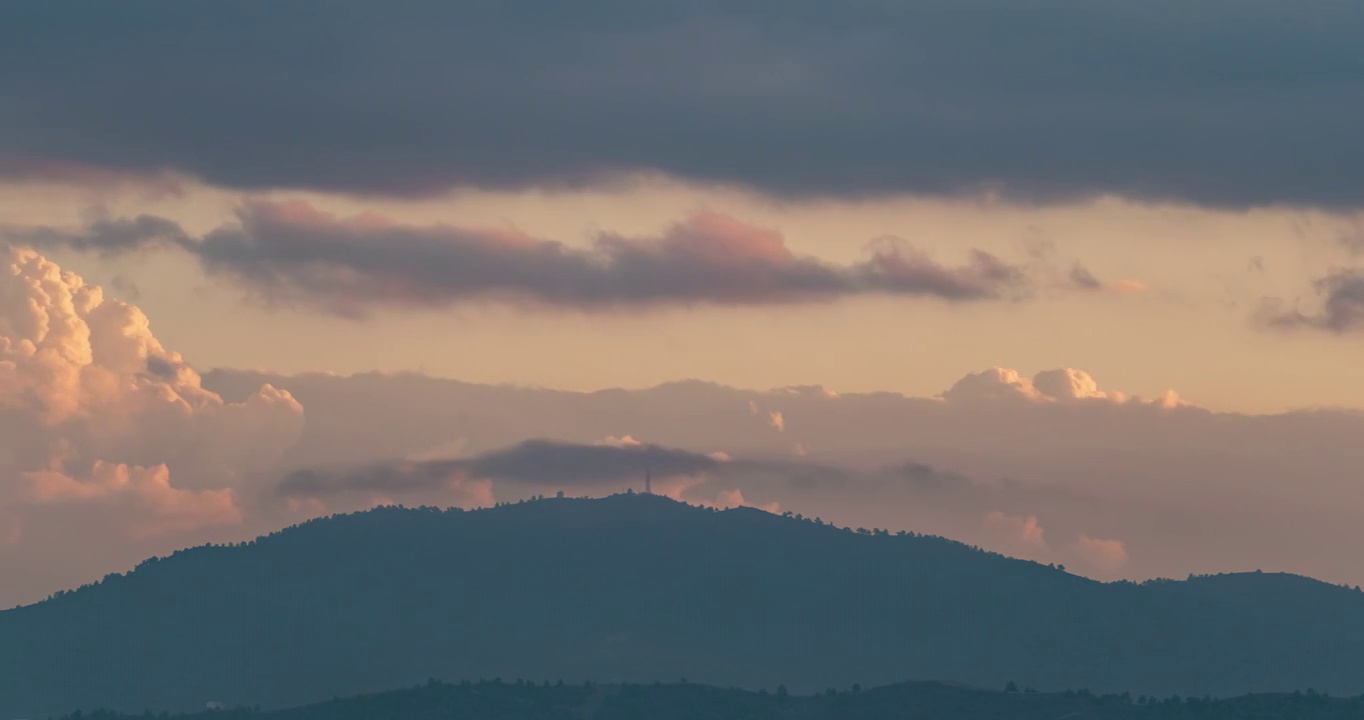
(99, 418)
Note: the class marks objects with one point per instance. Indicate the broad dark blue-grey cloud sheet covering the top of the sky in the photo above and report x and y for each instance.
(1219, 103)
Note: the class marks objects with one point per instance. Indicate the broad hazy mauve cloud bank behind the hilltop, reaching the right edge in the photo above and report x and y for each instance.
(1080, 467)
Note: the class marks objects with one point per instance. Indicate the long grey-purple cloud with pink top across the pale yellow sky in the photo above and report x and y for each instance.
(294, 254)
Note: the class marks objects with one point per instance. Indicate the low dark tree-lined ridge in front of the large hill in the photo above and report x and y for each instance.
(684, 702)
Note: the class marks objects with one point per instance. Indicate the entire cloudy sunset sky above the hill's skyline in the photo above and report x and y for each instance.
(1099, 268)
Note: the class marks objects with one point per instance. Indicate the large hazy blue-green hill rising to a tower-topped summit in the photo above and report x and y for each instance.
(639, 588)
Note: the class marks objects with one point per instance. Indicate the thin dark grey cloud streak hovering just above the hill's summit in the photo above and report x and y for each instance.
(534, 463)
